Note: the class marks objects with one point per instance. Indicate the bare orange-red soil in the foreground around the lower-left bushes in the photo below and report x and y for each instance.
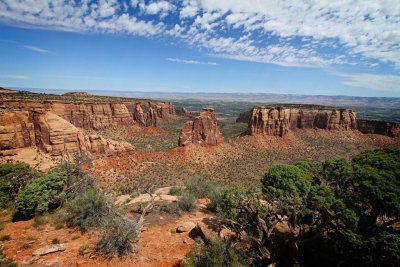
(159, 245)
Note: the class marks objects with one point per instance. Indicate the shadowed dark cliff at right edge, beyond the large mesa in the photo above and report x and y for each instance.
(391, 129)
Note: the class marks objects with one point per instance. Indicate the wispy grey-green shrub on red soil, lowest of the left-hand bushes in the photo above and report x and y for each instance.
(117, 236)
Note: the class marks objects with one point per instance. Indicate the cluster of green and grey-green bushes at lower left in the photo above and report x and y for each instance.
(77, 202)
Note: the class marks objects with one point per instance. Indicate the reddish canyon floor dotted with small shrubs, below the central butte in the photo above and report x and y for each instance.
(241, 158)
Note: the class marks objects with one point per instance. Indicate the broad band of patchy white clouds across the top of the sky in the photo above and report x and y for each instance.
(289, 33)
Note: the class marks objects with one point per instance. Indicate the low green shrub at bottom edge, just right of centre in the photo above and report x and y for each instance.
(218, 254)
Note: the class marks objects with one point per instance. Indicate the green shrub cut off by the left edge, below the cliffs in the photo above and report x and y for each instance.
(13, 177)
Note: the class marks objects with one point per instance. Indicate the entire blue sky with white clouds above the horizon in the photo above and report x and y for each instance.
(294, 47)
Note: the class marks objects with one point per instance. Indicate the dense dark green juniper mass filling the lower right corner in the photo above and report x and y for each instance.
(337, 212)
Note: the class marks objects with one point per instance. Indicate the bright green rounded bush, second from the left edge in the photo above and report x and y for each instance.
(41, 195)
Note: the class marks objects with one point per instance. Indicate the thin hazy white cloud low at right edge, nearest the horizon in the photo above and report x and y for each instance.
(380, 82)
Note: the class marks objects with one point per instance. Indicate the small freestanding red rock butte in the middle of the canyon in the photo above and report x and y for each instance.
(202, 130)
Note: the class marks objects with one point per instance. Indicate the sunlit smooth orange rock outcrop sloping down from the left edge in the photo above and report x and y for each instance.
(51, 134)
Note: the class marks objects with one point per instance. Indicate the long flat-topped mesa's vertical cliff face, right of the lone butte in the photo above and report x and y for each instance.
(279, 120)
